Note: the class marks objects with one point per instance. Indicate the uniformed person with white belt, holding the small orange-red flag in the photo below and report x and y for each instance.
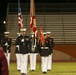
(44, 53)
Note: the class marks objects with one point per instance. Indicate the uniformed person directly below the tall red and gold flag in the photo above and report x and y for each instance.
(33, 52)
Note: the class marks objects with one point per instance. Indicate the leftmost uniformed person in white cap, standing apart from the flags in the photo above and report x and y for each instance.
(6, 44)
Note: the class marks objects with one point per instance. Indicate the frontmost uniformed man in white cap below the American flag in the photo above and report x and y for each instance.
(23, 42)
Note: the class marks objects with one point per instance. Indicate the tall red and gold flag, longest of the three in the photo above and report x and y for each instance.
(33, 26)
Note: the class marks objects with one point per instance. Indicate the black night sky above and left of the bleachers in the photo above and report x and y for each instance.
(3, 7)
